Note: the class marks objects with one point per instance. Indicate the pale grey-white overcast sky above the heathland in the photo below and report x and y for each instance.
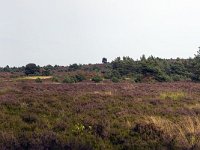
(64, 32)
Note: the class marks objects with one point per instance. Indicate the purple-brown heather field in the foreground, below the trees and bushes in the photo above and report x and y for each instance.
(106, 115)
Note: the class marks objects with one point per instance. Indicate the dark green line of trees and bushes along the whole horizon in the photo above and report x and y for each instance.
(143, 70)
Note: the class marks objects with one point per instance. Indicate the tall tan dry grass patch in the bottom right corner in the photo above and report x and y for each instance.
(185, 132)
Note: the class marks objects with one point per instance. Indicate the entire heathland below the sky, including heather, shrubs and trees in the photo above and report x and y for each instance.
(150, 103)
